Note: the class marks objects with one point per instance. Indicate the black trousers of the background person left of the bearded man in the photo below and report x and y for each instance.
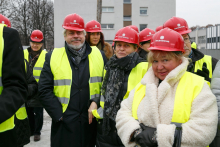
(35, 116)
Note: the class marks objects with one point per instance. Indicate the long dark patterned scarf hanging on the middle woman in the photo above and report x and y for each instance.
(112, 85)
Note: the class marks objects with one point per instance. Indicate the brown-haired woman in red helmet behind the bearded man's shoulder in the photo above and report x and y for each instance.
(95, 37)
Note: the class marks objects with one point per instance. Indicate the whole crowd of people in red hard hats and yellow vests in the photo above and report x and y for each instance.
(148, 89)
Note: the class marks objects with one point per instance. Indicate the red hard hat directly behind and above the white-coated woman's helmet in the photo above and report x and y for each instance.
(177, 24)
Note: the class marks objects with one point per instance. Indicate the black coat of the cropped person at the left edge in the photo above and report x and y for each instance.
(15, 87)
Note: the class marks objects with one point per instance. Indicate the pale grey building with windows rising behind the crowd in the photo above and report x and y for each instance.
(115, 14)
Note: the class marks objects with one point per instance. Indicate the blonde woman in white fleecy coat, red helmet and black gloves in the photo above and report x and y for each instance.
(170, 107)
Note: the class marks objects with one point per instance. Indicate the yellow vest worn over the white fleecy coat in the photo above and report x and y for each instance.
(184, 97)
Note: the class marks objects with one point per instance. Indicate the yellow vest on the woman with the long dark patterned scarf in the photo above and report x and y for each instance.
(135, 76)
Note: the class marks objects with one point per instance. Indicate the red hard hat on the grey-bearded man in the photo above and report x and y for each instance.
(73, 22)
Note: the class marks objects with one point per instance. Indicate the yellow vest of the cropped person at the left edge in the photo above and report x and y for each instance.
(9, 123)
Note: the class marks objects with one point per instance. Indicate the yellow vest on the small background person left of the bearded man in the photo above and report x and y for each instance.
(39, 64)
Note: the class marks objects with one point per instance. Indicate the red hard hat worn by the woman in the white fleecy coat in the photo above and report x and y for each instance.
(167, 40)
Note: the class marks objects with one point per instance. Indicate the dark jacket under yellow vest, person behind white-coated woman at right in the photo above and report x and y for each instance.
(197, 55)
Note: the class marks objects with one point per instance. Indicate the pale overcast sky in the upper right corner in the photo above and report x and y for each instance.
(199, 12)
